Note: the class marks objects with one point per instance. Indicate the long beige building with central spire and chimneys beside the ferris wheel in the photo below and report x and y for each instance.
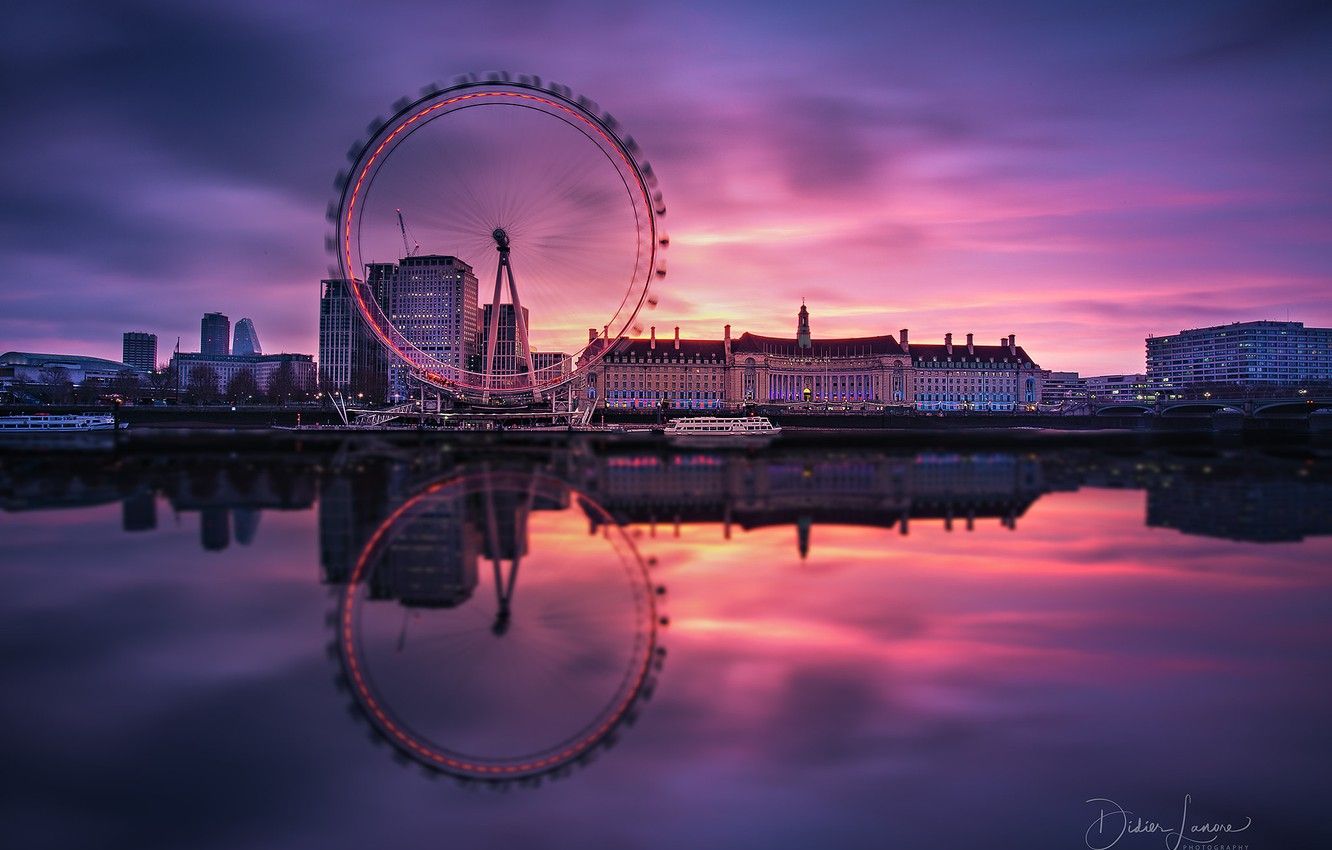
(704, 375)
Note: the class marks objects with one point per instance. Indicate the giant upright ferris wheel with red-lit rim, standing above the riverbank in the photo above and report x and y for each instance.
(499, 235)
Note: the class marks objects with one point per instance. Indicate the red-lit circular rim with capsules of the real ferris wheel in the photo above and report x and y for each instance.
(576, 111)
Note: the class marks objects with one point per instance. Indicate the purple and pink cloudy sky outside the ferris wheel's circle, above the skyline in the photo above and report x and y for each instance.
(1081, 175)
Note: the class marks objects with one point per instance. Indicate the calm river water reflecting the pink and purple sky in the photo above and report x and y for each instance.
(805, 649)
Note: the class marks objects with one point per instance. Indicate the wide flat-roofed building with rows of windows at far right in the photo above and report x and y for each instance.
(1251, 352)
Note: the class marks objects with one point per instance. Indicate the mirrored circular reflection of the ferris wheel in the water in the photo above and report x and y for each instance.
(486, 684)
